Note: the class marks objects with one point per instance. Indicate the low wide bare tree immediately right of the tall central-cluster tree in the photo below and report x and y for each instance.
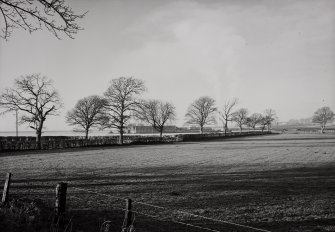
(156, 113)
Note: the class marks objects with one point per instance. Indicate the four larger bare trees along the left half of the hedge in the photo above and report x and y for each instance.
(36, 98)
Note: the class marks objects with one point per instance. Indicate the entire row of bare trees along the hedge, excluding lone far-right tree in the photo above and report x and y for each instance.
(36, 98)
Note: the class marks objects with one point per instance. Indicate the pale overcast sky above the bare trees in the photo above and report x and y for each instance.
(269, 54)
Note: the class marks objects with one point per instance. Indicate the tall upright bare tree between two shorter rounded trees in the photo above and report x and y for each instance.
(121, 101)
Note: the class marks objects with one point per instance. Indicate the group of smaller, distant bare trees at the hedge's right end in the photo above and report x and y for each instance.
(204, 112)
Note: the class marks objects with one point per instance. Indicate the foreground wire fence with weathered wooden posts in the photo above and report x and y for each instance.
(91, 210)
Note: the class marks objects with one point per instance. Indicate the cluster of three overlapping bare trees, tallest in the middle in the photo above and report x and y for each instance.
(119, 104)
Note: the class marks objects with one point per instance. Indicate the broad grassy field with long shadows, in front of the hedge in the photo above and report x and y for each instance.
(279, 182)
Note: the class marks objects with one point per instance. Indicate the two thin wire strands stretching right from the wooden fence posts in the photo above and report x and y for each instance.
(173, 210)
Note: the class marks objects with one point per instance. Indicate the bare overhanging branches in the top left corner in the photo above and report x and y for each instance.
(32, 15)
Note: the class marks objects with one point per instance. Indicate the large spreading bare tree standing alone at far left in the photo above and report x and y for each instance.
(36, 97)
